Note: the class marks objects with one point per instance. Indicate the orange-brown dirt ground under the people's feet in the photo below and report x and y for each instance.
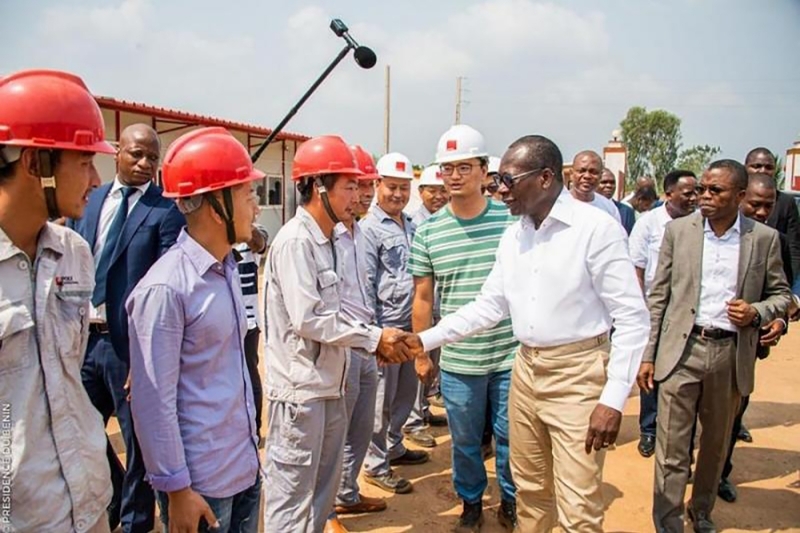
(766, 472)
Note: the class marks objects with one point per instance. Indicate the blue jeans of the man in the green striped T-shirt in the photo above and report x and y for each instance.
(467, 398)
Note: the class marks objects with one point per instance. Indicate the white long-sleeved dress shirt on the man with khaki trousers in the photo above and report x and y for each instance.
(564, 282)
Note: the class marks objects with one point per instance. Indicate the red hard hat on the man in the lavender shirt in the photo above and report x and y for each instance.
(205, 160)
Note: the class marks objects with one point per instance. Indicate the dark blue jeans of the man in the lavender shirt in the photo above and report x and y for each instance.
(236, 514)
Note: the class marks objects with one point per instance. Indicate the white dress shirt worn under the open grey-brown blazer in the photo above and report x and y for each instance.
(719, 277)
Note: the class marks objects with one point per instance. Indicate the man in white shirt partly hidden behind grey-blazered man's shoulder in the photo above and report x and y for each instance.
(645, 243)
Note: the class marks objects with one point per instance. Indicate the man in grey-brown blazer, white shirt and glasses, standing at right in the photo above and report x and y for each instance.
(719, 279)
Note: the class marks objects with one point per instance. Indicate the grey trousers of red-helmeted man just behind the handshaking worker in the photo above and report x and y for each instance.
(362, 387)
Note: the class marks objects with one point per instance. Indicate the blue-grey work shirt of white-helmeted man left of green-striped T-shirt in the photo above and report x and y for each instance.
(390, 287)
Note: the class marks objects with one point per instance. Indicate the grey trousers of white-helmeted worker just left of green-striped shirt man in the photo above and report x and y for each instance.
(397, 391)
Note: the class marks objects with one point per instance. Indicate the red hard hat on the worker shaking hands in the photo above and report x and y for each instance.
(328, 154)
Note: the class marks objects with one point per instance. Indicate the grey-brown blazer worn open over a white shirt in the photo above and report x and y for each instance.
(675, 292)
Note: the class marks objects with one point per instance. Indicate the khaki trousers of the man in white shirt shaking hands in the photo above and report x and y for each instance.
(553, 393)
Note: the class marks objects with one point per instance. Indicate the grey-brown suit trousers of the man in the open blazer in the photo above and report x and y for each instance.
(703, 385)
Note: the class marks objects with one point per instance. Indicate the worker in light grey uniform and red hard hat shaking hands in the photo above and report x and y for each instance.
(308, 340)
